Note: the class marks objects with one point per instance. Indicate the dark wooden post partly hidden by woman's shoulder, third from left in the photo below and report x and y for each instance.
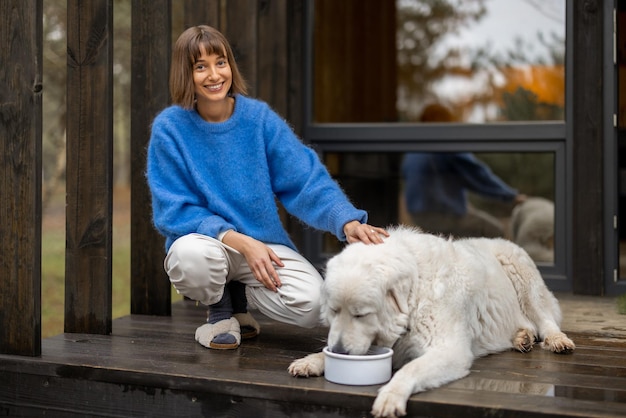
(150, 286)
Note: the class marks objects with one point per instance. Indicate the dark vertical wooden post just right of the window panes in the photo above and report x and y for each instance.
(587, 210)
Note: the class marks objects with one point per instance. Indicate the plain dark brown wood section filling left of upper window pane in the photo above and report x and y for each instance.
(345, 31)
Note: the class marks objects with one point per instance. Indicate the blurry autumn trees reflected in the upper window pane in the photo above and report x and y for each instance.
(529, 75)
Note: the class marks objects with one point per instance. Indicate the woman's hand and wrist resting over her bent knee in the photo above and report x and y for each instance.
(260, 258)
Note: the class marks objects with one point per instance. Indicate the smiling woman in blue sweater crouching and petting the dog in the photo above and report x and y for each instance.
(217, 162)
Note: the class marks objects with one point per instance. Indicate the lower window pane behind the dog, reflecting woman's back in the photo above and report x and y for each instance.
(460, 194)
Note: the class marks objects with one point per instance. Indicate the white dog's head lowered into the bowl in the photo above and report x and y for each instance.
(365, 297)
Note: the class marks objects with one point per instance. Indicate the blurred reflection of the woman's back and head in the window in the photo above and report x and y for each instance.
(437, 184)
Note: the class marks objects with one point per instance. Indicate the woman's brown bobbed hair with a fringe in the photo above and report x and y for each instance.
(187, 50)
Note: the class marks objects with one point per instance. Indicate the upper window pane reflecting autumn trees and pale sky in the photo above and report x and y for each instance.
(487, 60)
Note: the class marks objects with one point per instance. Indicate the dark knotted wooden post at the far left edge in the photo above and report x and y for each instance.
(20, 174)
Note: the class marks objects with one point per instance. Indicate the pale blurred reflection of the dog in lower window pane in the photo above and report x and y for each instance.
(532, 228)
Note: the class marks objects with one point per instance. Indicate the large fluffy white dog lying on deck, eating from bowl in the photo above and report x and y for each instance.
(438, 303)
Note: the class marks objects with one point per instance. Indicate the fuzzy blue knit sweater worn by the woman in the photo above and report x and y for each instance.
(211, 177)
